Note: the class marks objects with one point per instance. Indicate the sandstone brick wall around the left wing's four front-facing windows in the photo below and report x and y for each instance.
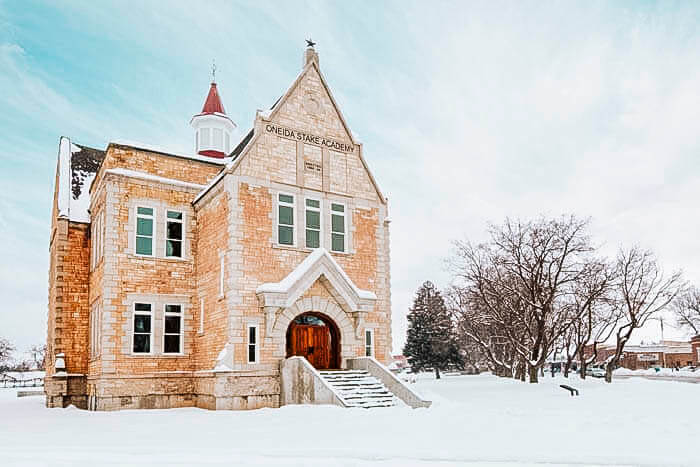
(129, 278)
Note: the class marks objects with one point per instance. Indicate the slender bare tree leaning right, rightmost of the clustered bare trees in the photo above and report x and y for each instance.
(641, 291)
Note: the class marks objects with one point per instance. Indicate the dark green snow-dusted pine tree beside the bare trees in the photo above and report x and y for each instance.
(431, 342)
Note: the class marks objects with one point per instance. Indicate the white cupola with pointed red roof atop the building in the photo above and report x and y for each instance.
(213, 129)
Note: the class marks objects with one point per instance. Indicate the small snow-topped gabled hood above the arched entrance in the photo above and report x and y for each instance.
(318, 264)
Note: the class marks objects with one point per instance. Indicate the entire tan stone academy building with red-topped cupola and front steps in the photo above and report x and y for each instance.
(199, 280)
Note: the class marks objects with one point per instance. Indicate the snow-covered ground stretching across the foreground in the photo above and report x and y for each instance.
(474, 420)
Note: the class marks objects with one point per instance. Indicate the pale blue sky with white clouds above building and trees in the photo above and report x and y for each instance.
(468, 112)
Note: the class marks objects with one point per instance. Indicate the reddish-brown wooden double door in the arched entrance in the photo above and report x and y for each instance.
(315, 337)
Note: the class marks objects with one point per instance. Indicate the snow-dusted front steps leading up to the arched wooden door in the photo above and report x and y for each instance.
(358, 388)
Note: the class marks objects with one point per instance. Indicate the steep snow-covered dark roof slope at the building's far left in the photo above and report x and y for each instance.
(77, 167)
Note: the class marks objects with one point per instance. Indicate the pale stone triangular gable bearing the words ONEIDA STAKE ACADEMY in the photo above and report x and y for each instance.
(309, 110)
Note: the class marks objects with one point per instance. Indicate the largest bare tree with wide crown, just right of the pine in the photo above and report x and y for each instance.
(522, 280)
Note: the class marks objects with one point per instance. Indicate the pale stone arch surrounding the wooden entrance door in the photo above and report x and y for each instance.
(316, 305)
